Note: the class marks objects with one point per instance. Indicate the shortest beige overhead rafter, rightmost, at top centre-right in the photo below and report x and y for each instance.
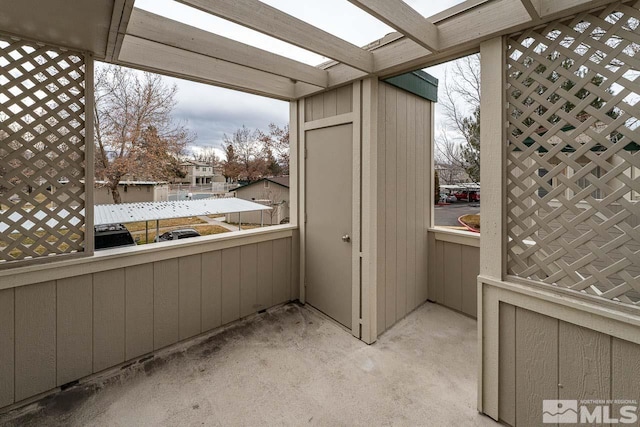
(399, 15)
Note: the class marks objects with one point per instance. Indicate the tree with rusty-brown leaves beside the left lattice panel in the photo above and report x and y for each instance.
(135, 133)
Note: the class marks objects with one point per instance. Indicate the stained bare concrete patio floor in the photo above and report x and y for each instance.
(288, 366)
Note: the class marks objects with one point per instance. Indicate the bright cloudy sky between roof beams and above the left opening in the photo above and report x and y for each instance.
(211, 111)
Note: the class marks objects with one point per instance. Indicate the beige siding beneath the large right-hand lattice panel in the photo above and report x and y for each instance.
(545, 358)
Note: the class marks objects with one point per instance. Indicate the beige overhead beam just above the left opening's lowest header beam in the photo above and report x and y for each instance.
(149, 26)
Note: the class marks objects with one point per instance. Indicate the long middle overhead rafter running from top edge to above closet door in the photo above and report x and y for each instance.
(275, 23)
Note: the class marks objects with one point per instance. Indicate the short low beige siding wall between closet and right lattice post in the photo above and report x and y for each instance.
(454, 265)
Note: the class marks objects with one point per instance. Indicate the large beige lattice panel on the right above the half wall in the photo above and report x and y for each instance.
(573, 156)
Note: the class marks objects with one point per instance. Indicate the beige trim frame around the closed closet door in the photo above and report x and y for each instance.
(363, 116)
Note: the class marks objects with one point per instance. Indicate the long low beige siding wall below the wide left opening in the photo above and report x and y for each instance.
(59, 331)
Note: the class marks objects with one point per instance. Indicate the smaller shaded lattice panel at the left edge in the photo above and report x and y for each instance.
(42, 128)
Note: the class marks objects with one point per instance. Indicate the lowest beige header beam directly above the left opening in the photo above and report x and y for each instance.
(159, 58)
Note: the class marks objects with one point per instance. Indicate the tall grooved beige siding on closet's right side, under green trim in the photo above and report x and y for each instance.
(404, 138)
